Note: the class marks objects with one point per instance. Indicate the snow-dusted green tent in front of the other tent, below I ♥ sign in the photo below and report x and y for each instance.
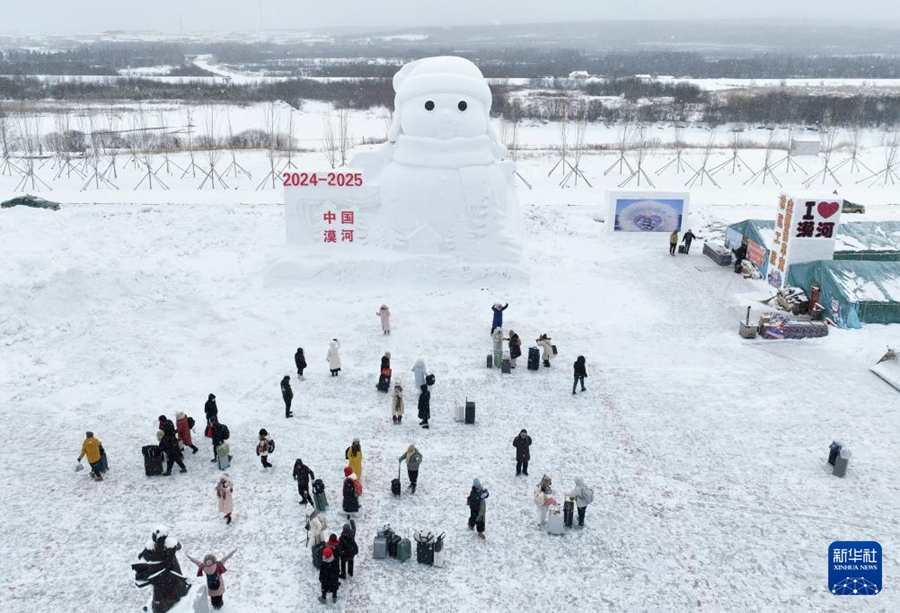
(853, 292)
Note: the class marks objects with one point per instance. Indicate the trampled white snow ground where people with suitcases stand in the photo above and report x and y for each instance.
(706, 452)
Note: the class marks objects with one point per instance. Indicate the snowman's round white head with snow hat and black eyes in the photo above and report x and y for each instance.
(441, 97)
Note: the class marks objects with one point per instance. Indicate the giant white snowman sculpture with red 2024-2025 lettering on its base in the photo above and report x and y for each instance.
(437, 200)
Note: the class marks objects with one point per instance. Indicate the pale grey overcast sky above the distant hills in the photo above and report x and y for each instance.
(87, 16)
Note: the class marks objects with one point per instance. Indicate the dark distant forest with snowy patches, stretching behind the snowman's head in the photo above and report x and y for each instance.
(549, 95)
